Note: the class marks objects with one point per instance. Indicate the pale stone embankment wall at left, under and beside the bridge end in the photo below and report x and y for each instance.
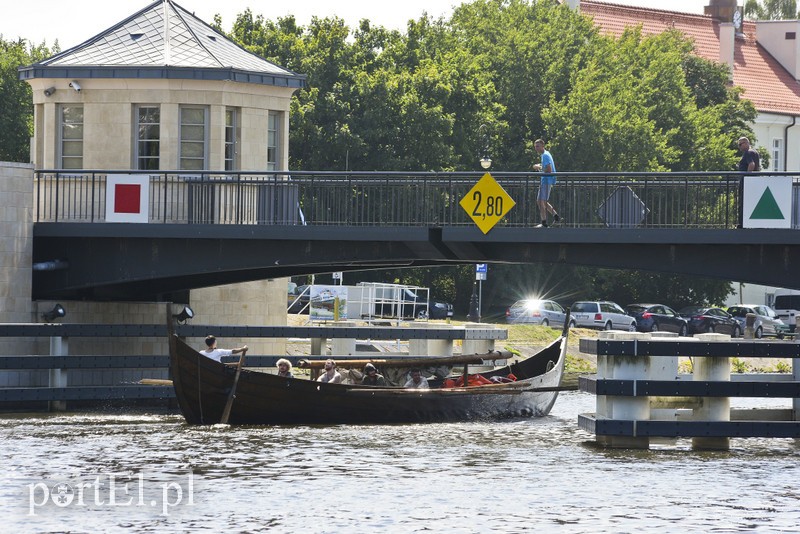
(254, 303)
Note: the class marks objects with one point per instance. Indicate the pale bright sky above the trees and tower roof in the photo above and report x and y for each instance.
(72, 22)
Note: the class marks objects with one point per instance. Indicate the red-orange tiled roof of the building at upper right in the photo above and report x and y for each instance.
(770, 87)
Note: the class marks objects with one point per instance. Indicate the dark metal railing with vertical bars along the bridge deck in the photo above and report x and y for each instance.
(616, 200)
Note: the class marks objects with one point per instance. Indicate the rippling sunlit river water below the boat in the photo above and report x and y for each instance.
(116, 472)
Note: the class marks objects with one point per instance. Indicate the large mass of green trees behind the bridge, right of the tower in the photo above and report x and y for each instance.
(385, 100)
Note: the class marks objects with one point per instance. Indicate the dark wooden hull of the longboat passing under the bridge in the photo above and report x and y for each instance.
(203, 387)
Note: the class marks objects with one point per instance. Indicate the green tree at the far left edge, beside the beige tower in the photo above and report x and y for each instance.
(16, 106)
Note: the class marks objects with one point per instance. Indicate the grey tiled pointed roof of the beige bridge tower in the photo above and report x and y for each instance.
(162, 41)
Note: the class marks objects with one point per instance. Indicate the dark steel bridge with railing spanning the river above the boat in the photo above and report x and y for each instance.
(206, 229)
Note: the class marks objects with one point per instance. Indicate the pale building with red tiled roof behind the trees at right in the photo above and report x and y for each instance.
(764, 57)
